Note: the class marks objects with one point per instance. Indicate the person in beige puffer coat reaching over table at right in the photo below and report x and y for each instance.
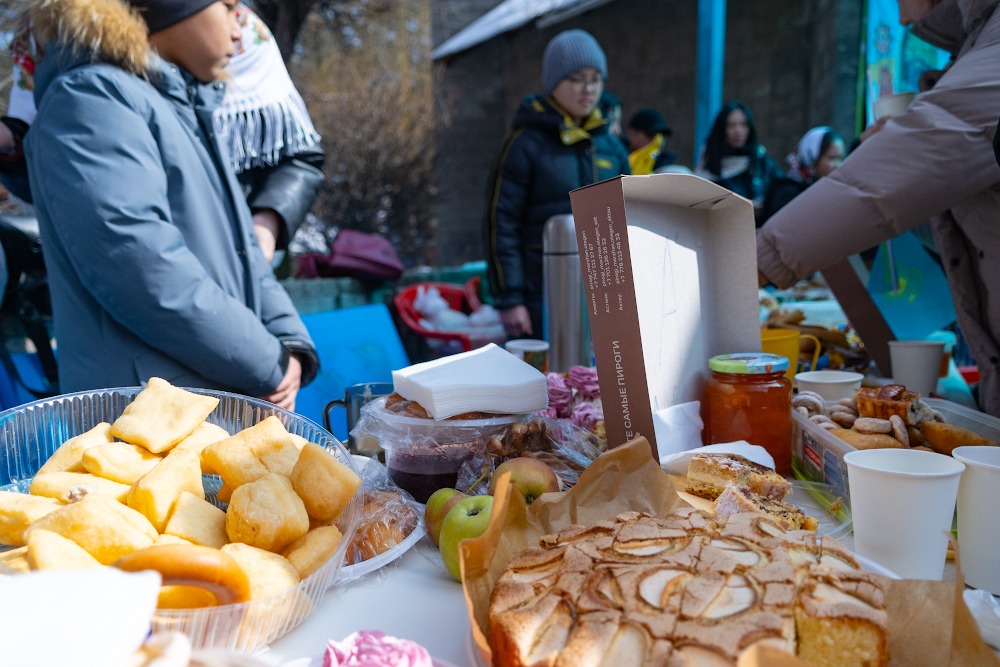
(934, 162)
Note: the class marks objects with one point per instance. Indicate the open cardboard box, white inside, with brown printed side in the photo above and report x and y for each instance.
(670, 277)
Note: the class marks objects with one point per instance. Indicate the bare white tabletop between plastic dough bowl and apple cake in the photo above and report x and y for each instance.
(414, 598)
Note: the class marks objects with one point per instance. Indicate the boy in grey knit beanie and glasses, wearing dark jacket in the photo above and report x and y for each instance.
(559, 142)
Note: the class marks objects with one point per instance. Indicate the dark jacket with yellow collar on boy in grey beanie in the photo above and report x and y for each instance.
(541, 160)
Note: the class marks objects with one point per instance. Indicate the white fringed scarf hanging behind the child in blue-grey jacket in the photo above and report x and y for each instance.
(262, 117)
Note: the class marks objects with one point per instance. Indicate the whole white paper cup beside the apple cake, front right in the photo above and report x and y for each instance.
(903, 503)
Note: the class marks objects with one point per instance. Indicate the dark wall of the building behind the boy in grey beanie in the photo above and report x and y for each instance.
(793, 62)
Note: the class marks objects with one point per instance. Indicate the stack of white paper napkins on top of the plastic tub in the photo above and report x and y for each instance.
(487, 379)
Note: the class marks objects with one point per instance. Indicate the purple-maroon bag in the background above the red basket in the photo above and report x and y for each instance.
(354, 254)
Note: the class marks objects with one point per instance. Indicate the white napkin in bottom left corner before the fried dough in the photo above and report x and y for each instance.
(96, 617)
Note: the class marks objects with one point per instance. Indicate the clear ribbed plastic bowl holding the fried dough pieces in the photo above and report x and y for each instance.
(30, 433)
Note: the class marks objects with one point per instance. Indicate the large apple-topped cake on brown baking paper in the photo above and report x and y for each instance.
(685, 589)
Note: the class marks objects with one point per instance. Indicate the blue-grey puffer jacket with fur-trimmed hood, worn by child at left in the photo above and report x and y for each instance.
(153, 263)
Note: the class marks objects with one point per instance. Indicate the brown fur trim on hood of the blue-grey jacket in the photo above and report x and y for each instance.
(111, 31)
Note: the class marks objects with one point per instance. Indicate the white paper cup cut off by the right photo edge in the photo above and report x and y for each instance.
(978, 519)
